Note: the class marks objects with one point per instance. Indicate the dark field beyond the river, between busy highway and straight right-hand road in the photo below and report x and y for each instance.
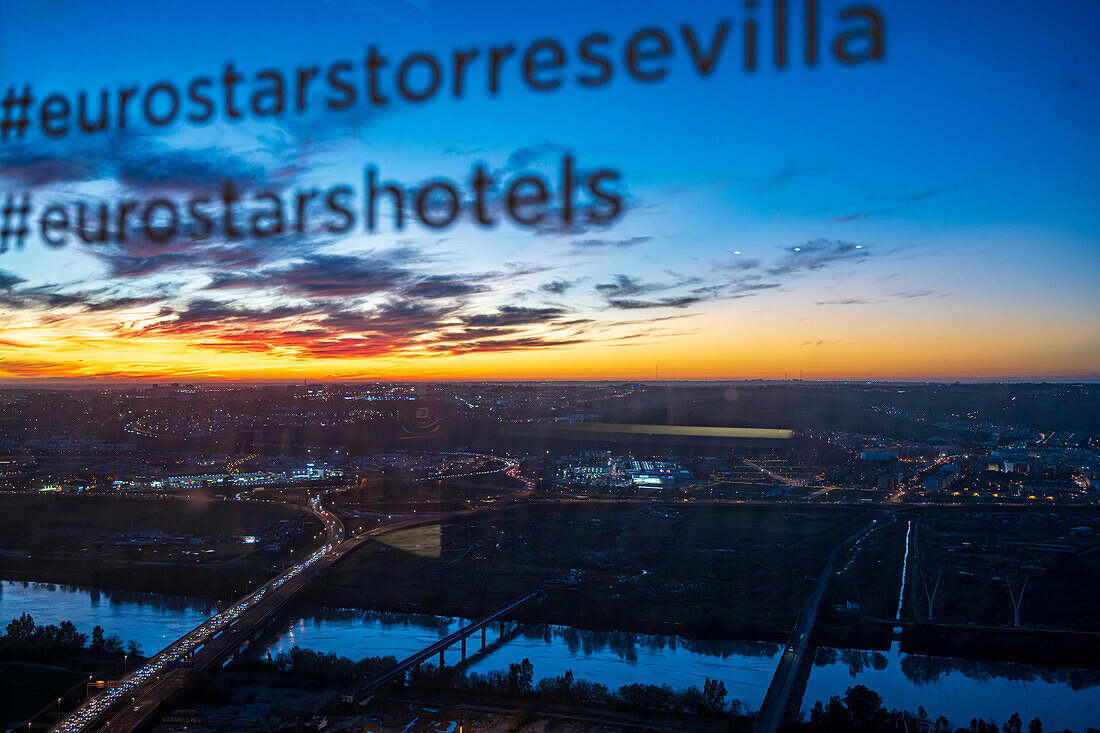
(718, 572)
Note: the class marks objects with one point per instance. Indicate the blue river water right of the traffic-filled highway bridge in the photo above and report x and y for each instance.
(959, 690)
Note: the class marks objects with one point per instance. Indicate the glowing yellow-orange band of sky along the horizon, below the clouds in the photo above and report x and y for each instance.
(717, 351)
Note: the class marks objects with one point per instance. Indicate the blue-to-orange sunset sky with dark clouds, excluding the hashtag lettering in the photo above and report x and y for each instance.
(934, 216)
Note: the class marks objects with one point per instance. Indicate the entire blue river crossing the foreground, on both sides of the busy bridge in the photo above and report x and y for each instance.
(959, 690)
